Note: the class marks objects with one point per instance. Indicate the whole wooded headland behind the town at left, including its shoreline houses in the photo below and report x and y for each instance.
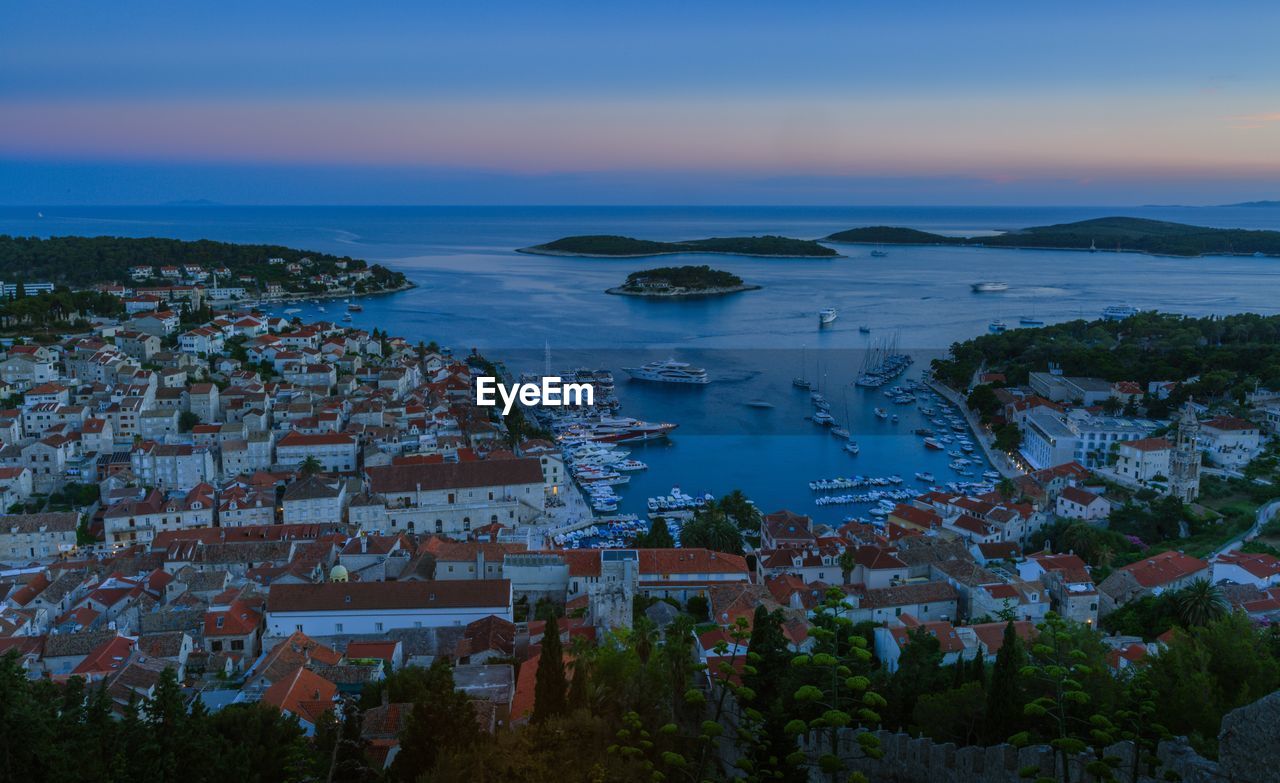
(86, 262)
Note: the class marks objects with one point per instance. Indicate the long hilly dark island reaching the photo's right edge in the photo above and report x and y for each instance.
(1131, 235)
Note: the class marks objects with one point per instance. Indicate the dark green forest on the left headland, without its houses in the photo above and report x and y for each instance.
(84, 262)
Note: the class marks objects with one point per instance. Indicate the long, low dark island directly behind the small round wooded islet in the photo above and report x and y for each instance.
(606, 246)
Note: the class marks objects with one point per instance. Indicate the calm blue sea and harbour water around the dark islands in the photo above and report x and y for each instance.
(537, 313)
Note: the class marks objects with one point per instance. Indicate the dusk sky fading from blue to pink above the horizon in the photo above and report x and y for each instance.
(801, 103)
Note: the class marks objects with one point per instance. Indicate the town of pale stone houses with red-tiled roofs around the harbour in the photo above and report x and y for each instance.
(245, 510)
